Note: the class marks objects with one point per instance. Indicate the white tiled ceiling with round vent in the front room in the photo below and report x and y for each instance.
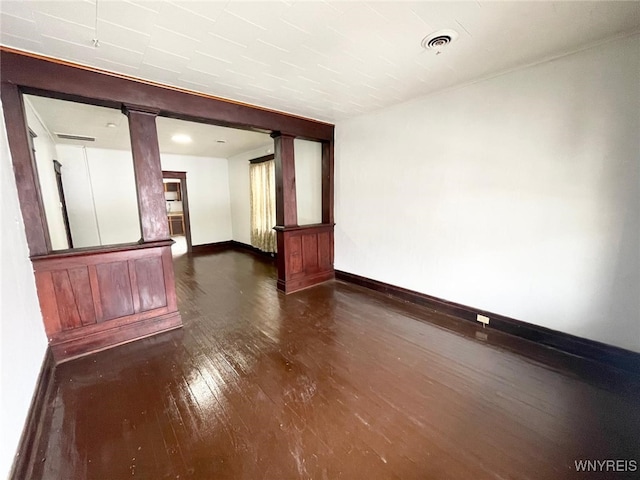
(326, 60)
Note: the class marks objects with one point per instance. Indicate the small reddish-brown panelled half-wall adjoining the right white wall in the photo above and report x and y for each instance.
(307, 258)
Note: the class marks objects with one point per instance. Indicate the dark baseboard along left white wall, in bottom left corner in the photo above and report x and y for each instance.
(25, 455)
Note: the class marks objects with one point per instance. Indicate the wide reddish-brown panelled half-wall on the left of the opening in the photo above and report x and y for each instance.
(92, 300)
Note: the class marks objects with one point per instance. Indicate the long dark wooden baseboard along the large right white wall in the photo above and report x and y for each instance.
(590, 349)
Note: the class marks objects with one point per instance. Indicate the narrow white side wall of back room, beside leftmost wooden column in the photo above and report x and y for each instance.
(45, 154)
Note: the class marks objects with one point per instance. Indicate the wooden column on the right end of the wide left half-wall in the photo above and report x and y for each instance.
(148, 173)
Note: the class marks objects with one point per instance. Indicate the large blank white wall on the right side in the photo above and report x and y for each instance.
(518, 195)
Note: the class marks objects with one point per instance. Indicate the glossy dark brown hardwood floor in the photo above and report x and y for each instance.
(331, 382)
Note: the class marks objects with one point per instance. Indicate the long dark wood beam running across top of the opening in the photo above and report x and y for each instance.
(40, 75)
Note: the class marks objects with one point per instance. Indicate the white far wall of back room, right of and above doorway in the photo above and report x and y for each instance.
(208, 190)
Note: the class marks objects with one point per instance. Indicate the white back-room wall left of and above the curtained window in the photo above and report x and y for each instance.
(240, 192)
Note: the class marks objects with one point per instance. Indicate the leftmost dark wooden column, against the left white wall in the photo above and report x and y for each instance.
(24, 167)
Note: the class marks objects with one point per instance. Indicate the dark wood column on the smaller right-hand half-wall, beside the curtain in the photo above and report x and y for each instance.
(286, 206)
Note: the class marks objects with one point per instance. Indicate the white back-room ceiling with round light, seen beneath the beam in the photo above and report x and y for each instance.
(88, 120)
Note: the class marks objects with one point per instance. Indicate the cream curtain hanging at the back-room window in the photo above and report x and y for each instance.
(263, 205)
